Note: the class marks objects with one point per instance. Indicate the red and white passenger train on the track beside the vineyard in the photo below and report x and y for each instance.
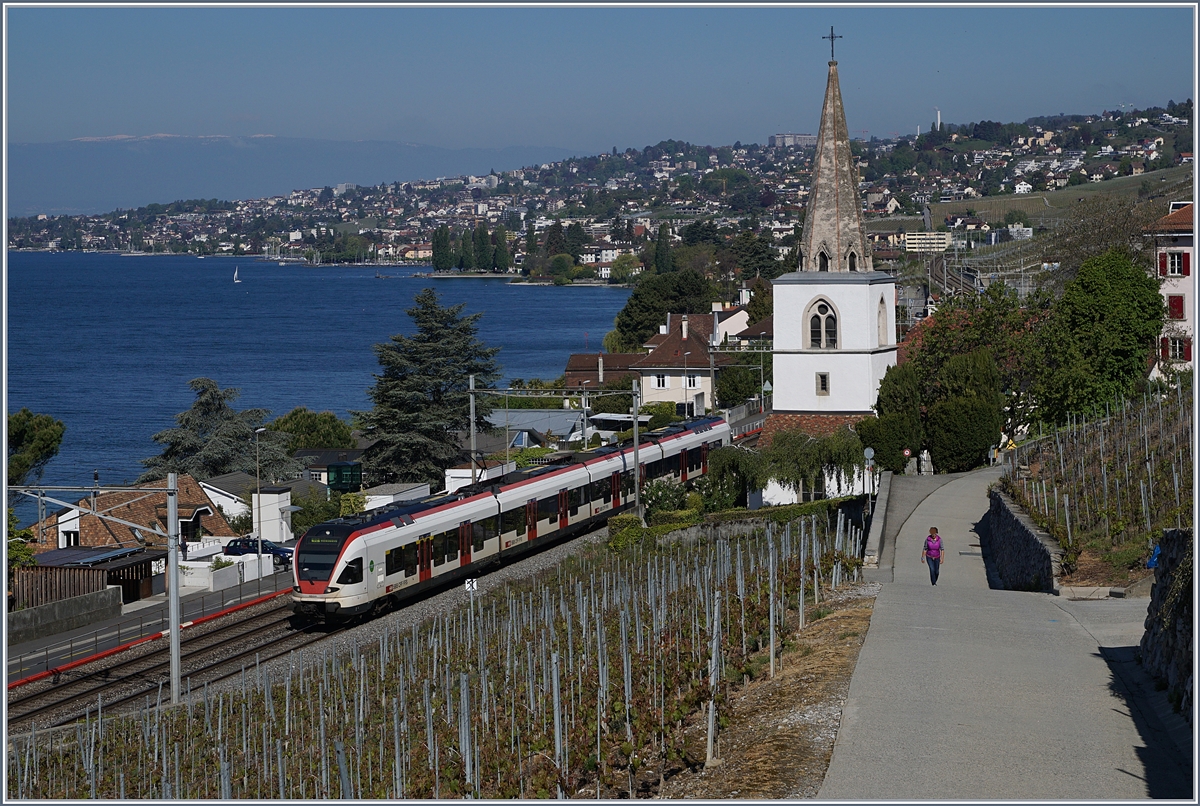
(353, 566)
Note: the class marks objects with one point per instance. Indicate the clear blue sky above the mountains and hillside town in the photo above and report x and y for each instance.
(578, 79)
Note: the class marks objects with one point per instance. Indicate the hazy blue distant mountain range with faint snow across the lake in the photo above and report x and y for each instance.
(101, 175)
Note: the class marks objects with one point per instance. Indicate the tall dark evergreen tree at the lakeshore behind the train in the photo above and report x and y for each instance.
(421, 398)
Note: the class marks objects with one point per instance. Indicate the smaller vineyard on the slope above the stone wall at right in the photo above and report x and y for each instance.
(1111, 485)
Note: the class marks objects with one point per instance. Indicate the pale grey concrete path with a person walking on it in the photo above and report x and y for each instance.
(967, 693)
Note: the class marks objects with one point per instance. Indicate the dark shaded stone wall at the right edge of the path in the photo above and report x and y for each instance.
(1167, 645)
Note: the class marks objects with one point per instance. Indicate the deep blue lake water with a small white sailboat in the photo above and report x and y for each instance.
(107, 344)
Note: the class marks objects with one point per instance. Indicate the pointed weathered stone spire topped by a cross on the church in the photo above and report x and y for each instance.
(833, 227)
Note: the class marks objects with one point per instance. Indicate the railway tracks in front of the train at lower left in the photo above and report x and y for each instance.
(207, 658)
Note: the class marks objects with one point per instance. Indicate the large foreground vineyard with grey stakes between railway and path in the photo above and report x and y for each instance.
(567, 684)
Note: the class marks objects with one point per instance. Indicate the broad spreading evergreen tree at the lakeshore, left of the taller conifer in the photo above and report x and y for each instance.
(212, 440)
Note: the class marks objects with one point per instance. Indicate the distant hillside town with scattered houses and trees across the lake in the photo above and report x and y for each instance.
(605, 213)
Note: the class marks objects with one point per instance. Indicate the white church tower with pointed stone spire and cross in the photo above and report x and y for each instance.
(835, 316)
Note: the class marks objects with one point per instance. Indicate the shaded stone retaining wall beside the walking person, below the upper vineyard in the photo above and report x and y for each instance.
(1025, 557)
